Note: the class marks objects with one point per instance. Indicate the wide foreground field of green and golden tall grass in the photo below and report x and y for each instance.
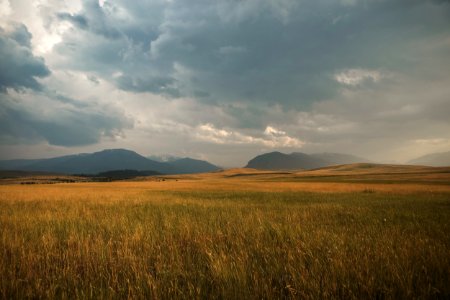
(109, 241)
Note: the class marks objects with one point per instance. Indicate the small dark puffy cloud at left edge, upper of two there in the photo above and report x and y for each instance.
(18, 66)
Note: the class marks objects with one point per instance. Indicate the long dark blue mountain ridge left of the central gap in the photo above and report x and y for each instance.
(108, 160)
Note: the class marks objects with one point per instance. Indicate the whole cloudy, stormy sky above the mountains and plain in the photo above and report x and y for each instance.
(225, 80)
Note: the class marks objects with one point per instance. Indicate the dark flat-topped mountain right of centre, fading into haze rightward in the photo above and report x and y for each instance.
(298, 160)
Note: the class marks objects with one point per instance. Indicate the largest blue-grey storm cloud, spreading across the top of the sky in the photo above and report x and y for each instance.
(258, 51)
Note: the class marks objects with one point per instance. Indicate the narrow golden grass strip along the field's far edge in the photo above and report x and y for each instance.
(235, 184)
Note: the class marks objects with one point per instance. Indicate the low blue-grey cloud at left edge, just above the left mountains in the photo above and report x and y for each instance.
(58, 120)
